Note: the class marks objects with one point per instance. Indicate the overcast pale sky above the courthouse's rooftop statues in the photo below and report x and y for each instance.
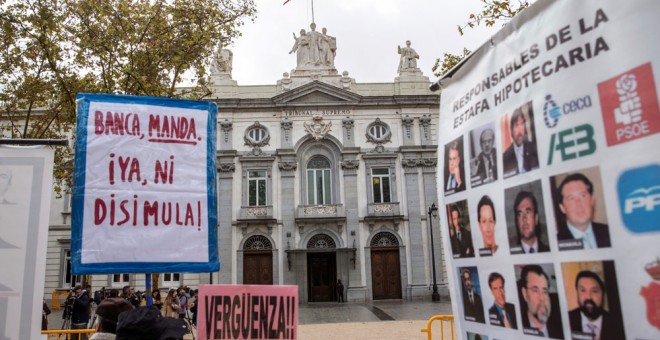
(367, 32)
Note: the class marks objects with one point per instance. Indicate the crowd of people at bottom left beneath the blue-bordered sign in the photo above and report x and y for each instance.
(126, 314)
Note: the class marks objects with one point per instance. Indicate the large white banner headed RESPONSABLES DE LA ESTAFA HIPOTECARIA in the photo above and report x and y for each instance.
(550, 182)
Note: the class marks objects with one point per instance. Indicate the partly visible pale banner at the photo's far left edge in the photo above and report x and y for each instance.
(26, 177)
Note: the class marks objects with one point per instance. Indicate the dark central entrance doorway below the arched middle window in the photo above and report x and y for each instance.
(322, 270)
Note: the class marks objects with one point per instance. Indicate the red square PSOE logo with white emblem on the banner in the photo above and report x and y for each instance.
(630, 105)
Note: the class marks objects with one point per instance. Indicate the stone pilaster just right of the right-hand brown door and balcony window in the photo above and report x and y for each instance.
(417, 278)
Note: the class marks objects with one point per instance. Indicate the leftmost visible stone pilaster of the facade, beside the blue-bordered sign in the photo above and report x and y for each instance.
(226, 169)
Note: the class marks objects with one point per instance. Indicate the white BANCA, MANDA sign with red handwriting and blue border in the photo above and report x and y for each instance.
(144, 197)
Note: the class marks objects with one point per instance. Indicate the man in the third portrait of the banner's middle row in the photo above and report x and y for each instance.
(525, 210)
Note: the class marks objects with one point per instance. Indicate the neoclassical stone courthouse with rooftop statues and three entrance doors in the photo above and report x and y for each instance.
(320, 178)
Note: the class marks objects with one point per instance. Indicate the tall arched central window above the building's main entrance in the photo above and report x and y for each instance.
(319, 184)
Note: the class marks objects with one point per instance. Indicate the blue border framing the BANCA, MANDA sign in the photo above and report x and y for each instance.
(83, 105)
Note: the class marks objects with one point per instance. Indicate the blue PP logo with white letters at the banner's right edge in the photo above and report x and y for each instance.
(639, 198)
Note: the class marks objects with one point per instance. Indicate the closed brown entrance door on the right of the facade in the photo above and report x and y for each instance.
(385, 273)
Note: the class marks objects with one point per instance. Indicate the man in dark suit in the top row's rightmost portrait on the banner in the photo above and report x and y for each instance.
(521, 155)
